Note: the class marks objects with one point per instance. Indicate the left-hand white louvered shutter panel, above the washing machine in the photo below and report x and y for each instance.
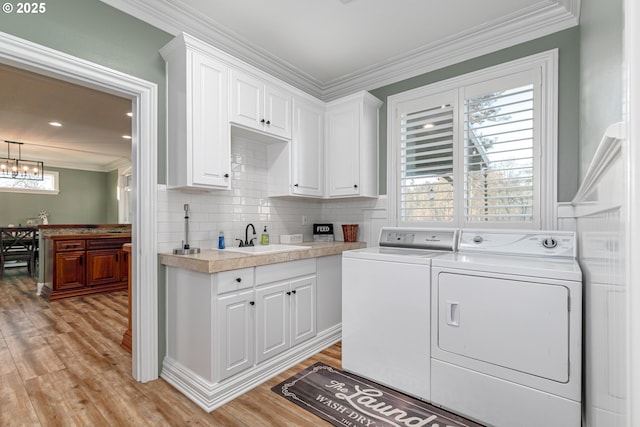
(427, 156)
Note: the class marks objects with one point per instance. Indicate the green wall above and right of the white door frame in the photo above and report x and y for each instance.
(92, 30)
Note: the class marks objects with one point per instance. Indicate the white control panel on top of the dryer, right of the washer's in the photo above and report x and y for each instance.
(518, 242)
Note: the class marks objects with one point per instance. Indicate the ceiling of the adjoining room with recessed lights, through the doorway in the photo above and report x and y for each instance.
(93, 122)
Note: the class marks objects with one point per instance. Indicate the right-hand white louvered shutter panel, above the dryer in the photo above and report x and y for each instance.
(500, 151)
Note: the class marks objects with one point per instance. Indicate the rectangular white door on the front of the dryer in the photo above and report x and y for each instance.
(518, 325)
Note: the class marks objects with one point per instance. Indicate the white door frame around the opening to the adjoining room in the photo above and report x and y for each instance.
(30, 56)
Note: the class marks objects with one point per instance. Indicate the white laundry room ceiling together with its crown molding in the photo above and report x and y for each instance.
(330, 48)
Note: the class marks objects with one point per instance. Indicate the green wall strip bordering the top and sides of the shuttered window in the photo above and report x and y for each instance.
(568, 44)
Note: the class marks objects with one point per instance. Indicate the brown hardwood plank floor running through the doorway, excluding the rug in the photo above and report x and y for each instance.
(61, 364)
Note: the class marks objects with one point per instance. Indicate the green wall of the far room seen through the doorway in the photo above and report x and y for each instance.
(83, 199)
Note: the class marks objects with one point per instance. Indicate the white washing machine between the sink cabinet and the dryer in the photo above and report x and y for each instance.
(386, 307)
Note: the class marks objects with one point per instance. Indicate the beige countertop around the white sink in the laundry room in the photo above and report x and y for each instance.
(214, 260)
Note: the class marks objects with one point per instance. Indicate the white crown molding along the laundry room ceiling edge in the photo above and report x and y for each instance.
(175, 17)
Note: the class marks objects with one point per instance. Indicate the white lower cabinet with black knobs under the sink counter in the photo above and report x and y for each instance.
(229, 331)
